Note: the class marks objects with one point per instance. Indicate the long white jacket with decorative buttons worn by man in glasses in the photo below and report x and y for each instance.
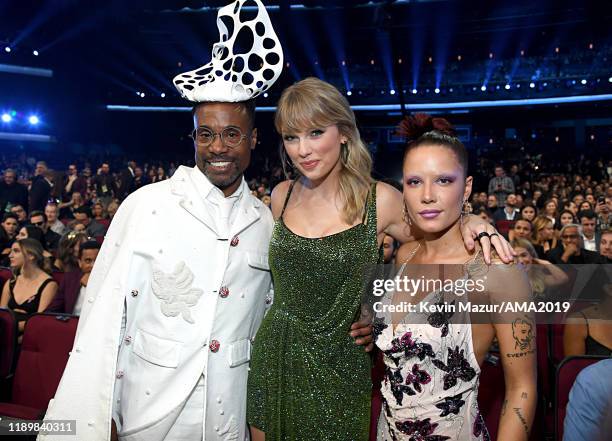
(193, 302)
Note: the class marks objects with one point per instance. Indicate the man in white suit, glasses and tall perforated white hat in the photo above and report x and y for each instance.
(163, 345)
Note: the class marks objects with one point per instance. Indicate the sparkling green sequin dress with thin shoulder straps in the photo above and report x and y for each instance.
(308, 379)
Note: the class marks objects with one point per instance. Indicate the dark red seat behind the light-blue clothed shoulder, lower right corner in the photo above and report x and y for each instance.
(567, 372)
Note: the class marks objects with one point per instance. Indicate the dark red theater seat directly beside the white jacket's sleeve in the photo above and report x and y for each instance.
(47, 341)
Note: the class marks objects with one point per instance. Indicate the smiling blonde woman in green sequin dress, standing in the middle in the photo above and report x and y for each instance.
(308, 379)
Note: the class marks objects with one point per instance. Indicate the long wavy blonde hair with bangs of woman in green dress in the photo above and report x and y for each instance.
(313, 103)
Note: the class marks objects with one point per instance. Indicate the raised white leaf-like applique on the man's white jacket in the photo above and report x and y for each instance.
(175, 291)
